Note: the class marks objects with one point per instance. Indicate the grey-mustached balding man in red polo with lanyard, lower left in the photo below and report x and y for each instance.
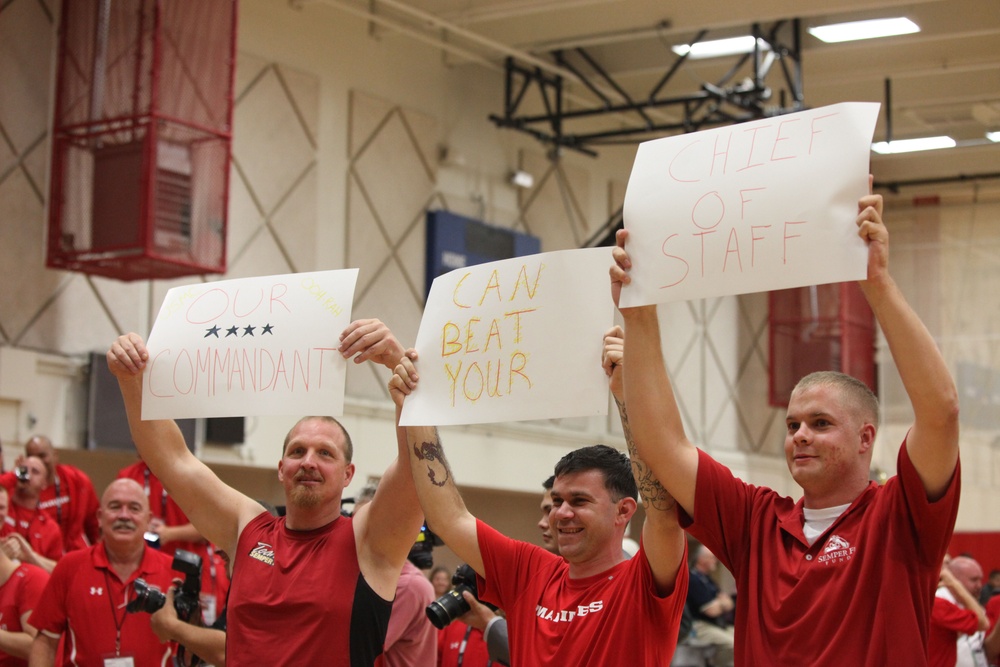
(86, 597)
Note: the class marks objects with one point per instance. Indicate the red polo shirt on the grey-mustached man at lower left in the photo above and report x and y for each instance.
(85, 601)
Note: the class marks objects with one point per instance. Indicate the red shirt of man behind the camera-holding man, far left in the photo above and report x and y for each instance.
(70, 500)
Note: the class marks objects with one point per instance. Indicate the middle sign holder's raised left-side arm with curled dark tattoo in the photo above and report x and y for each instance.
(443, 506)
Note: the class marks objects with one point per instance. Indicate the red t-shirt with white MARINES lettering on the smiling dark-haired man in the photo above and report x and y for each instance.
(612, 619)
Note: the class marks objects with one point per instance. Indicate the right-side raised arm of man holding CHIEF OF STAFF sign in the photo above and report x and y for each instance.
(932, 443)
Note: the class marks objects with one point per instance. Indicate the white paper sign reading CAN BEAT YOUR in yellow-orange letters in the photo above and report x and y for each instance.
(512, 340)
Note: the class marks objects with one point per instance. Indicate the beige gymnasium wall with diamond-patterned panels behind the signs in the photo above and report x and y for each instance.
(339, 132)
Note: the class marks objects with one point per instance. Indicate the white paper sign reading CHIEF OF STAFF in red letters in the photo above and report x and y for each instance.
(758, 206)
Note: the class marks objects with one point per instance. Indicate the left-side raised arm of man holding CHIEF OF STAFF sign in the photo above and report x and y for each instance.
(657, 432)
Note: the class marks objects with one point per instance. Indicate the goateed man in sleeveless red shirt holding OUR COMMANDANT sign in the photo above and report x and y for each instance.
(313, 587)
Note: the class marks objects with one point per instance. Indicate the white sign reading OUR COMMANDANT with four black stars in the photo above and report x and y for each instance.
(253, 346)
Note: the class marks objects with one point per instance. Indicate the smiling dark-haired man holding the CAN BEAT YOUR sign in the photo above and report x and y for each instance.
(587, 605)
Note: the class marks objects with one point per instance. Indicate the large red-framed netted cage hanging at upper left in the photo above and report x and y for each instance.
(141, 137)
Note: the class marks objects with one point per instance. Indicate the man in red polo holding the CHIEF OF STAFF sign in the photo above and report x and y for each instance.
(800, 565)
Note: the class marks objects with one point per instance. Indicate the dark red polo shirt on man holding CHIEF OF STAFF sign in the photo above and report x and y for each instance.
(860, 595)
